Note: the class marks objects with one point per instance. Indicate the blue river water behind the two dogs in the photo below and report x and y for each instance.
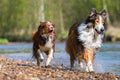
(107, 60)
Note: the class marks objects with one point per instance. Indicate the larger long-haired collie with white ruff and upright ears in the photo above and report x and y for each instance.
(84, 39)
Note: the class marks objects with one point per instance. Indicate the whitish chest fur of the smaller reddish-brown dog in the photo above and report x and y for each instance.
(47, 45)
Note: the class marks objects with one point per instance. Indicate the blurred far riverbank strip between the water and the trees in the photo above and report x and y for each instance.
(111, 35)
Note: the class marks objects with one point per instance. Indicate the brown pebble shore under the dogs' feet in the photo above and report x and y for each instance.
(23, 70)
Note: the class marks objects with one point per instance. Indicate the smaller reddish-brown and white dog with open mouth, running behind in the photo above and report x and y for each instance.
(44, 41)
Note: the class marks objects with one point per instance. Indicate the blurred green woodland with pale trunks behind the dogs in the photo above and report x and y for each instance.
(18, 18)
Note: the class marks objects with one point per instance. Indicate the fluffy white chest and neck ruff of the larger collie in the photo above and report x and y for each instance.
(87, 37)
